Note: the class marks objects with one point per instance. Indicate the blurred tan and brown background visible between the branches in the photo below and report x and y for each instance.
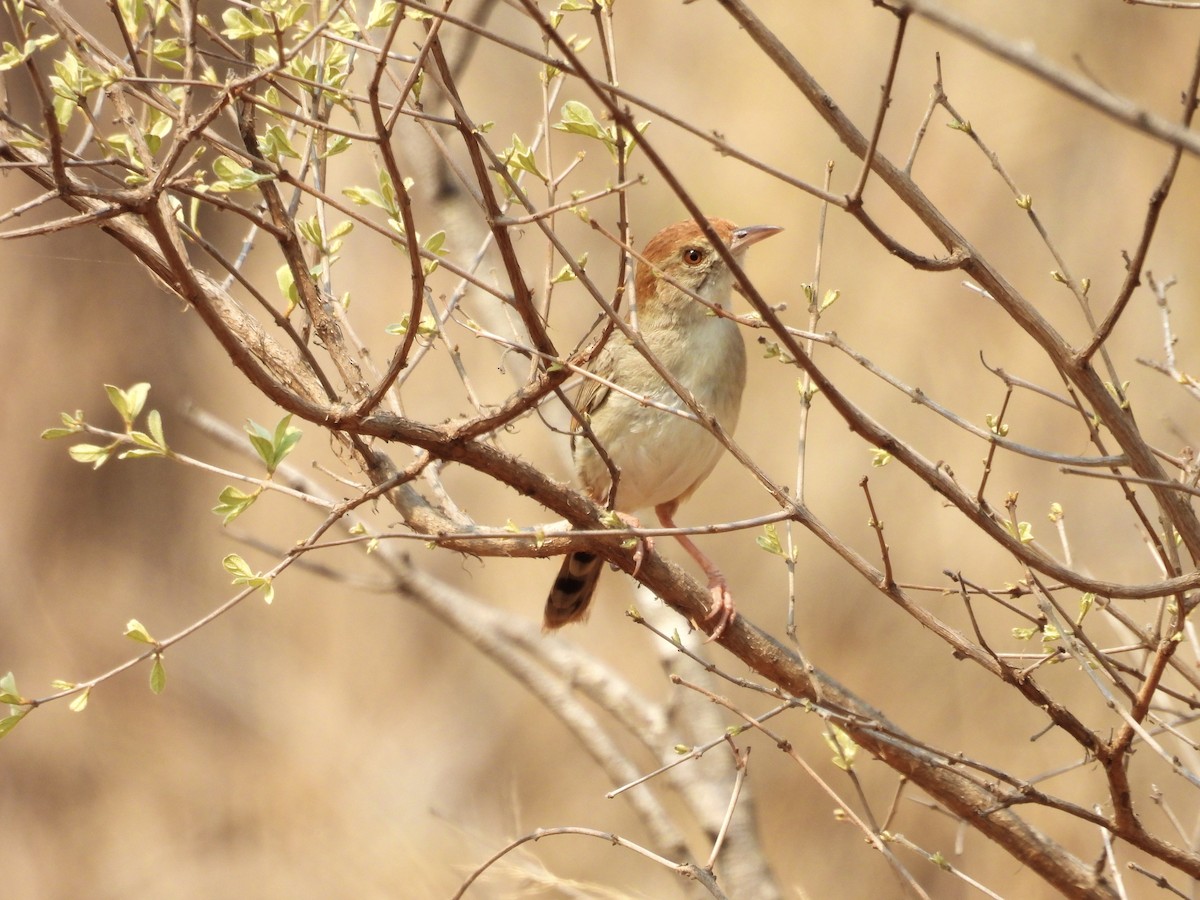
(341, 743)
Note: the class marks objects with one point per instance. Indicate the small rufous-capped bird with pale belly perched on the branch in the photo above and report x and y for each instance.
(662, 458)
